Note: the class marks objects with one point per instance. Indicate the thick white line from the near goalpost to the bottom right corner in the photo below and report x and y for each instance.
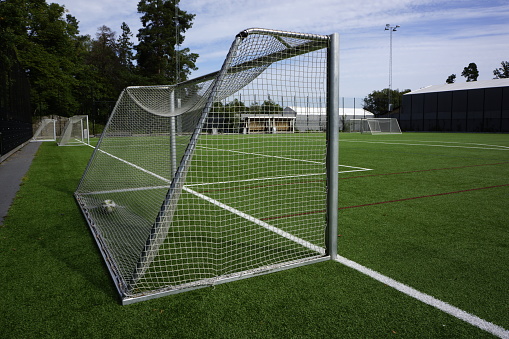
(427, 299)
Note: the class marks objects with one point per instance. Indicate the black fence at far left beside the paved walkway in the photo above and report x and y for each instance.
(15, 112)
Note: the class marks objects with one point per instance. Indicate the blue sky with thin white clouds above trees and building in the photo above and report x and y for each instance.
(436, 38)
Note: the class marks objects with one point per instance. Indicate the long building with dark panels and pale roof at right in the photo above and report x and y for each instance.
(478, 106)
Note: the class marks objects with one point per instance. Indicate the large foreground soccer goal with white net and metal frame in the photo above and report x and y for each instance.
(178, 197)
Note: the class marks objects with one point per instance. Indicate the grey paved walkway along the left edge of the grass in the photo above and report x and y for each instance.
(12, 171)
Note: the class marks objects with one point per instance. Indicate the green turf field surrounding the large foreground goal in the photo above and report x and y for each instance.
(431, 213)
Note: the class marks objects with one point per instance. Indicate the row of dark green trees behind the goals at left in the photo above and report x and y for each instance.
(71, 73)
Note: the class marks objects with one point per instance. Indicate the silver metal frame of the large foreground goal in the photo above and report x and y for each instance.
(180, 170)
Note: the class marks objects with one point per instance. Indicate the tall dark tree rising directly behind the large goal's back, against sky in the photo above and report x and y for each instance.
(164, 25)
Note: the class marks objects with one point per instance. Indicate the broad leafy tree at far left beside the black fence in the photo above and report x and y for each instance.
(47, 44)
